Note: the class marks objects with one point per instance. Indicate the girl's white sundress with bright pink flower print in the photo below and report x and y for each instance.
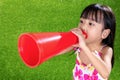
(85, 72)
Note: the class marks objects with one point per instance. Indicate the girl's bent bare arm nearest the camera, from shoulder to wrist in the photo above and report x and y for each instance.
(102, 66)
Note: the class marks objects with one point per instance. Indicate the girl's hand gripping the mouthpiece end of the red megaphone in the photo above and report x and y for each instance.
(78, 32)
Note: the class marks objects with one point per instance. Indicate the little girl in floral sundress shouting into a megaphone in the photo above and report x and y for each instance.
(94, 59)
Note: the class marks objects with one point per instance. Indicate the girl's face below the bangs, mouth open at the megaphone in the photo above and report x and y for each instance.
(92, 28)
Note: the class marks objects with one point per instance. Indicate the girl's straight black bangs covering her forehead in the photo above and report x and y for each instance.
(93, 13)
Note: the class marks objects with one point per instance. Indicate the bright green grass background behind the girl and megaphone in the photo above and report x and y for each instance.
(19, 16)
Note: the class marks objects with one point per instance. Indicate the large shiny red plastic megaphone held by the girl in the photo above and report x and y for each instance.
(35, 48)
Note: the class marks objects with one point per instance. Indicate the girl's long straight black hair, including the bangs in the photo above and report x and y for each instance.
(102, 13)
